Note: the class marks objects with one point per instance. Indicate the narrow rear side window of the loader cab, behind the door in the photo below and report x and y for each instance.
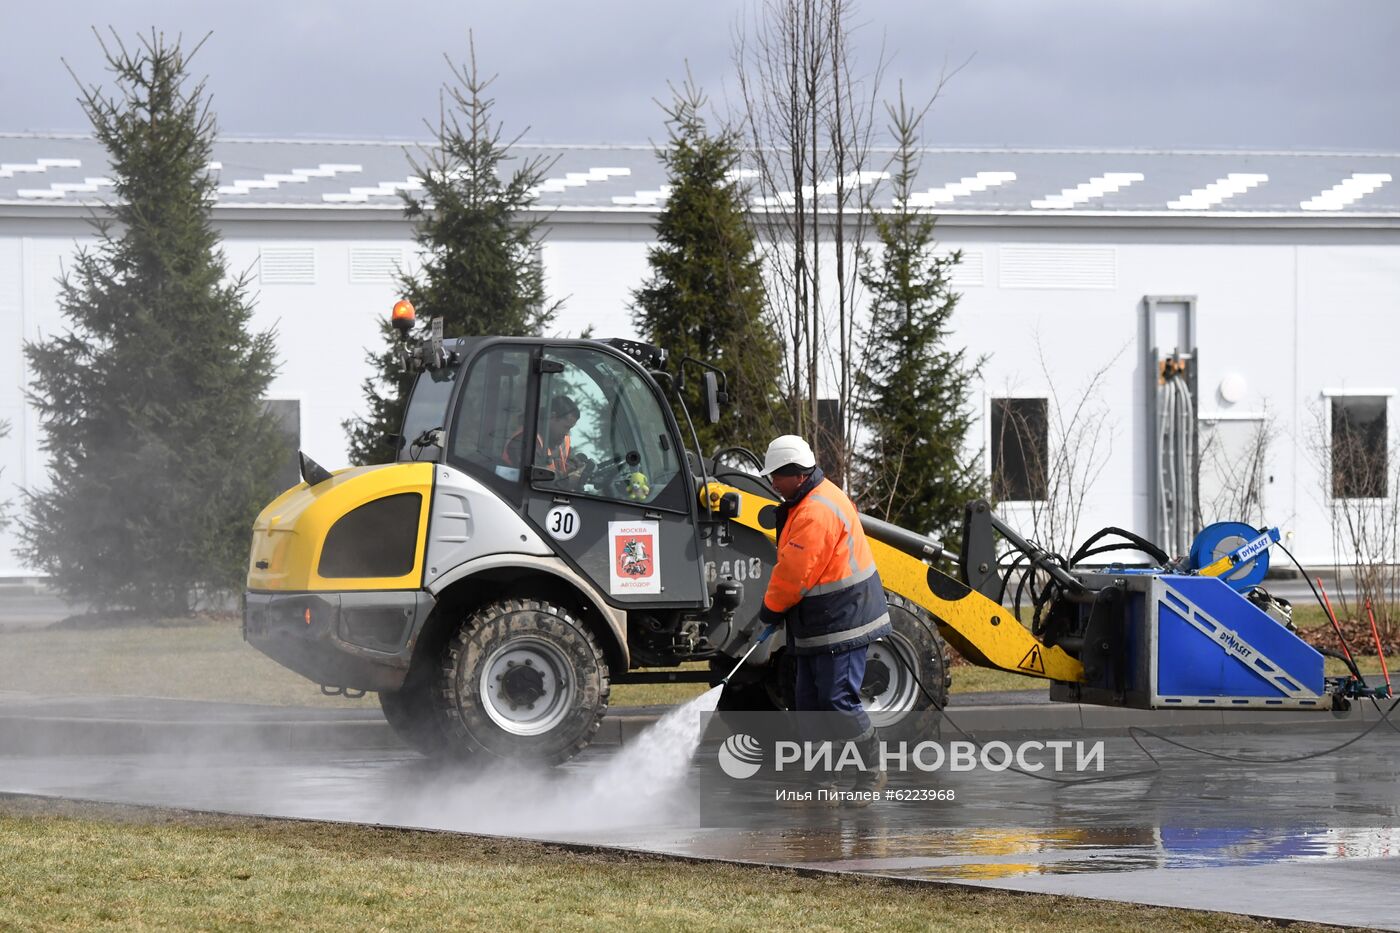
(488, 432)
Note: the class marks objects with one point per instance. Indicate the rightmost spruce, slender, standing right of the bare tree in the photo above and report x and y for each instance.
(913, 390)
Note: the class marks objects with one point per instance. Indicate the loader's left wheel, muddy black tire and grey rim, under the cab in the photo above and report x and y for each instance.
(521, 680)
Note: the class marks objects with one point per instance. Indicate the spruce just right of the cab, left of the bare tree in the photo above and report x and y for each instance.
(705, 296)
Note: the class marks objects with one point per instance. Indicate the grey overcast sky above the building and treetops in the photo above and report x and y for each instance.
(1132, 74)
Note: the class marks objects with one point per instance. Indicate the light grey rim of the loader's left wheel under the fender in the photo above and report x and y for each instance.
(528, 687)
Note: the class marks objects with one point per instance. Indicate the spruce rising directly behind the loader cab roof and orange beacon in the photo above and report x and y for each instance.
(481, 271)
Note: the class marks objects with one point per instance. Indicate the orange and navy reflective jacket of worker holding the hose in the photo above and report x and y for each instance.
(827, 574)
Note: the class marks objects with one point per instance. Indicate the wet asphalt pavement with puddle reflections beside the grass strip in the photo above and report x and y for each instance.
(1315, 840)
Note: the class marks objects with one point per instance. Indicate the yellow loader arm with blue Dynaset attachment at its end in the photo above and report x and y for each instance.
(1191, 633)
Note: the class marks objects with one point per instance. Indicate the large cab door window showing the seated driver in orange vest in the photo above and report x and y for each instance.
(603, 432)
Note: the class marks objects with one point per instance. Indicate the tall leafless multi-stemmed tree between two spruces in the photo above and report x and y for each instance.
(810, 118)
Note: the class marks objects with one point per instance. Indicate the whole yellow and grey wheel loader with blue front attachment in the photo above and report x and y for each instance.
(547, 530)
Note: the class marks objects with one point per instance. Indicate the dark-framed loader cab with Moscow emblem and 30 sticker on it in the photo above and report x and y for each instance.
(579, 438)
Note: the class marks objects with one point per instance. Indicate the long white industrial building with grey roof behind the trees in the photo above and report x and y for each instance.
(1279, 272)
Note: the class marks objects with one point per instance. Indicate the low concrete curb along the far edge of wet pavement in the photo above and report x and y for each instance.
(26, 732)
